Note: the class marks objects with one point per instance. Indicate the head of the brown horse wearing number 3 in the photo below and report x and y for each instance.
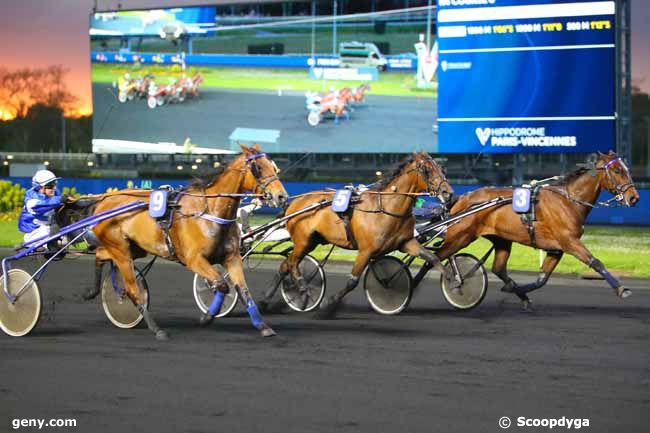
(615, 177)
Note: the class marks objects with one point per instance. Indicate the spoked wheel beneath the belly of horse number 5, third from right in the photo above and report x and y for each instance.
(310, 297)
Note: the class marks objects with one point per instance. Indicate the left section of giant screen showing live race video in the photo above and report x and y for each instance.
(288, 82)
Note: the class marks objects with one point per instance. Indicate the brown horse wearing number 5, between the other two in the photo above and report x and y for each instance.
(380, 222)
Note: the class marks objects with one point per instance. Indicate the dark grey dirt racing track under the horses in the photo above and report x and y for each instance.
(582, 354)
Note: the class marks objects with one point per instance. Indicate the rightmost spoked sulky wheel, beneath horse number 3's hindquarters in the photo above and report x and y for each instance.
(473, 286)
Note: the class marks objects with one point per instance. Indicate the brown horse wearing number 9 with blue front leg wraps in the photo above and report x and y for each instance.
(202, 232)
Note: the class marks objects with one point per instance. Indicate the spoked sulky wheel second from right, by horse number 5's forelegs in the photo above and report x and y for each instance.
(388, 285)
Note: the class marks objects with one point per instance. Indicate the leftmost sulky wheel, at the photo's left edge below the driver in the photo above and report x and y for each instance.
(20, 317)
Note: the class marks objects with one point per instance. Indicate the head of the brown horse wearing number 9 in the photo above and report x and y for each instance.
(262, 176)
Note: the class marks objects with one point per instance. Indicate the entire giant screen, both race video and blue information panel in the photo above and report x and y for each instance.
(464, 76)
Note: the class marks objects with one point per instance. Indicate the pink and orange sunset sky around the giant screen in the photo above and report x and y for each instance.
(39, 33)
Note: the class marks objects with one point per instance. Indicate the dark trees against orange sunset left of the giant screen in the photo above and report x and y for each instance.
(36, 99)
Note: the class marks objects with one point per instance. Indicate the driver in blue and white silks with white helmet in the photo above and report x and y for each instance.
(40, 203)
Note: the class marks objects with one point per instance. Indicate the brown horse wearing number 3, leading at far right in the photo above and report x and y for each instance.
(560, 213)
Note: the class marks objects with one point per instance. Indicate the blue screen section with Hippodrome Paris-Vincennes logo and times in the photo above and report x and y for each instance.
(526, 76)
